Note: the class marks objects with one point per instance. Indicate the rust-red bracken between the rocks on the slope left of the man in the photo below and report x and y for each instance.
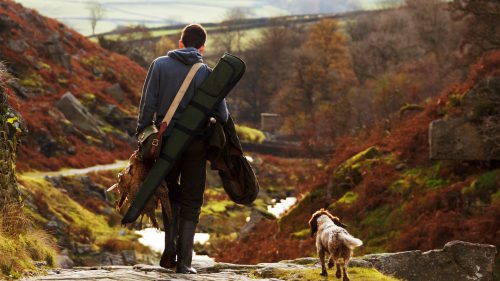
(38, 110)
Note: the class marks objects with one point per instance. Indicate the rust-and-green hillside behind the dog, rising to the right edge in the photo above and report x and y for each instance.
(390, 194)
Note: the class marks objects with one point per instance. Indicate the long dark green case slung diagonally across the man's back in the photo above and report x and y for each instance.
(207, 97)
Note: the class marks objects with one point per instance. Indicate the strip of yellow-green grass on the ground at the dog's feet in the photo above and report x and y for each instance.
(313, 274)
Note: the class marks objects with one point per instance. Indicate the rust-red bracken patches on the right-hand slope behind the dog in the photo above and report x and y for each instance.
(429, 218)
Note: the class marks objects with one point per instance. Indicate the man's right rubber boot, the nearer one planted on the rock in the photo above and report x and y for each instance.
(185, 247)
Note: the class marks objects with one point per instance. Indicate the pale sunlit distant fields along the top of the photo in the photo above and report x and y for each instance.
(164, 12)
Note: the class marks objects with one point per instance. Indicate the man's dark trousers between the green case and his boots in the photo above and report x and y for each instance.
(186, 182)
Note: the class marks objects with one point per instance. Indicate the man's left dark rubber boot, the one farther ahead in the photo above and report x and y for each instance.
(168, 258)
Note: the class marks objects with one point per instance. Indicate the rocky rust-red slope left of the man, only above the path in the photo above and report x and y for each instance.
(48, 60)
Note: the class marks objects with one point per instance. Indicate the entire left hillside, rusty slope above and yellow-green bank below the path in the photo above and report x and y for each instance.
(78, 104)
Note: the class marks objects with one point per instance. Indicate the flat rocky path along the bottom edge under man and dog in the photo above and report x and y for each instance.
(456, 261)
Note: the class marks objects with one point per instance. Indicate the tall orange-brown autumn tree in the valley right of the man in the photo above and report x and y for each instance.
(321, 75)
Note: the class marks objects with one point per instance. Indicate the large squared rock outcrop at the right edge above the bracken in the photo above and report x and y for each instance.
(474, 135)
